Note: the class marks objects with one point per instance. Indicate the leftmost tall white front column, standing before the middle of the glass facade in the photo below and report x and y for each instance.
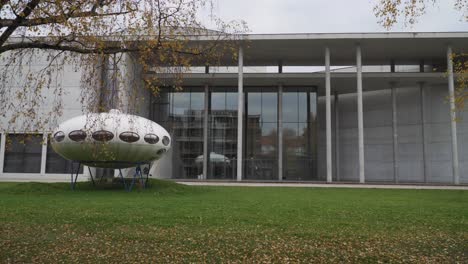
(240, 113)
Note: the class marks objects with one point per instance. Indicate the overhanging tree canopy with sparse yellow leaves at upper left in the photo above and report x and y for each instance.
(94, 36)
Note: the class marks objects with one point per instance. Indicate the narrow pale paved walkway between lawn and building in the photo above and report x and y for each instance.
(326, 185)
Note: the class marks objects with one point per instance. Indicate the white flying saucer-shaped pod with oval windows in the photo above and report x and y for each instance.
(110, 140)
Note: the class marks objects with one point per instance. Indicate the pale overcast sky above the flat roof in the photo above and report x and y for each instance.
(315, 16)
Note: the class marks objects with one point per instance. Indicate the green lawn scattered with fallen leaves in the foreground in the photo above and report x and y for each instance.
(174, 223)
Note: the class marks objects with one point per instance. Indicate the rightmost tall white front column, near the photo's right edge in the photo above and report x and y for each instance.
(453, 116)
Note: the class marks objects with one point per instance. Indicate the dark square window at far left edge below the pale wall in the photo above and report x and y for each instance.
(23, 153)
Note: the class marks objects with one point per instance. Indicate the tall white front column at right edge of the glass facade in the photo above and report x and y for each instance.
(328, 113)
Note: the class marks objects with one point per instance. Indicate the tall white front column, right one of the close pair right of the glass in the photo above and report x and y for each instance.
(360, 114)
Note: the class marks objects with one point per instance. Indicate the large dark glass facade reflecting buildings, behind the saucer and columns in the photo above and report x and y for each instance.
(182, 114)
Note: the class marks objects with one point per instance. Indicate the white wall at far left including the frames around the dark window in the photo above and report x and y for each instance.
(64, 89)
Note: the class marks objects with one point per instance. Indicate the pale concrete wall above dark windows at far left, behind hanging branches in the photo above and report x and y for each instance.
(64, 89)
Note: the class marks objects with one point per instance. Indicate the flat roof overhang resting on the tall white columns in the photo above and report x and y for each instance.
(377, 48)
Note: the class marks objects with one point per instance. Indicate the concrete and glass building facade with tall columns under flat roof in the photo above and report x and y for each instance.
(367, 107)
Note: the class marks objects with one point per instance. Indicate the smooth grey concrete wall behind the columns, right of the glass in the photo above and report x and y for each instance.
(378, 136)
